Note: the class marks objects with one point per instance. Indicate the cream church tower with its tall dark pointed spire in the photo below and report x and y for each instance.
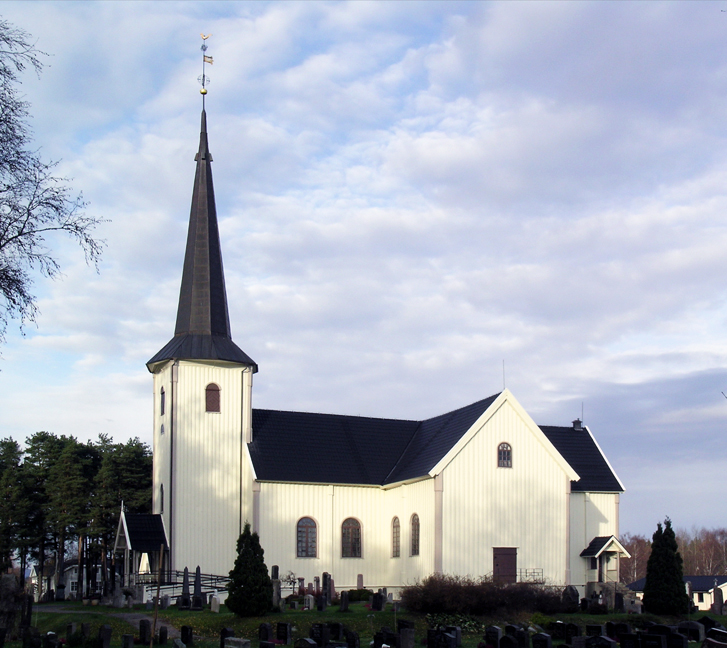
(202, 403)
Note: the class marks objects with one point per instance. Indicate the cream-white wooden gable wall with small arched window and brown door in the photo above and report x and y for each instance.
(524, 506)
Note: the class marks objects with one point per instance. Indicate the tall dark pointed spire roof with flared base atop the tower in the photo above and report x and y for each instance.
(203, 322)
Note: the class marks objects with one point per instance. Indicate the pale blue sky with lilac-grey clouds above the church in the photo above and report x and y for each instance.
(419, 203)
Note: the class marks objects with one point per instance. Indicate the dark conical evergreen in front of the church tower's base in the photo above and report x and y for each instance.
(250, 588)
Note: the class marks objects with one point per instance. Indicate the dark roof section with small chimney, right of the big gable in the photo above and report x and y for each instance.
(580, 450)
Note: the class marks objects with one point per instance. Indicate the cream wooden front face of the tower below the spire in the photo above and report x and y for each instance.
(207, 468)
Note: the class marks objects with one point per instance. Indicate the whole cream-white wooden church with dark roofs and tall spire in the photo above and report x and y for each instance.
(482, 490)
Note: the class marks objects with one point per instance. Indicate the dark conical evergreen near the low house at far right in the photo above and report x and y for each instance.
(664, 591)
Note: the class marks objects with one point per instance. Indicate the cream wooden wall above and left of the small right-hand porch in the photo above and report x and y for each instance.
(592, 515)
